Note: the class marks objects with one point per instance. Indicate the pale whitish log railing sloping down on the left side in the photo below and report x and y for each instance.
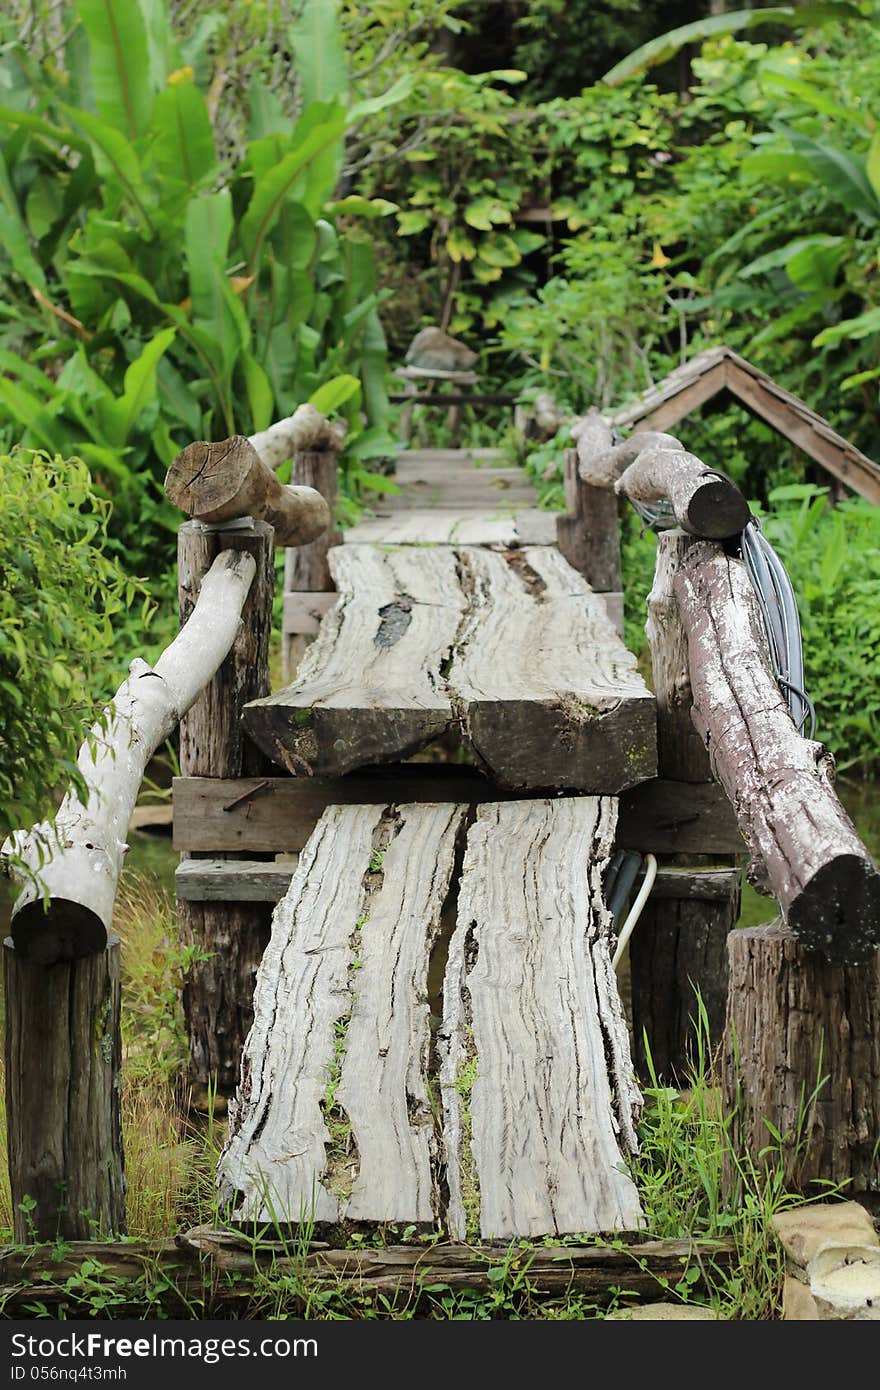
(77, 865)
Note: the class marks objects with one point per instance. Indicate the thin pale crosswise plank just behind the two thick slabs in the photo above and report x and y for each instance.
(498, 525)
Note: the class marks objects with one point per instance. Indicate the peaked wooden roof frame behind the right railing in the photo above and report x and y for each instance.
(722, 369)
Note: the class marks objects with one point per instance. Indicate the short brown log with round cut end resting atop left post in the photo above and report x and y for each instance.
(229, 480)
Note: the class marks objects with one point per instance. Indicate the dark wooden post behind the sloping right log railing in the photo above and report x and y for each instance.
(681, 945)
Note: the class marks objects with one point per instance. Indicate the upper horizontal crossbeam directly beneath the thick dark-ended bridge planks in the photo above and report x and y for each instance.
(276, 815)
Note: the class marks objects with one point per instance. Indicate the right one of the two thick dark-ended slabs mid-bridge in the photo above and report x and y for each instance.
(547, 693)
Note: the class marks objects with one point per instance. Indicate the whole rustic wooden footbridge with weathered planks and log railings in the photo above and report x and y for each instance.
(409, 850)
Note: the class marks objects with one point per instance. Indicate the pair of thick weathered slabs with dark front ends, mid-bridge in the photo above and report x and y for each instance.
(516, 651)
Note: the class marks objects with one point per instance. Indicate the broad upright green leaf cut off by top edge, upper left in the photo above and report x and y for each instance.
(120, 74)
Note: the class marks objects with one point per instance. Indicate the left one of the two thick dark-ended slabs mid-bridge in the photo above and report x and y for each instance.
(370, 687)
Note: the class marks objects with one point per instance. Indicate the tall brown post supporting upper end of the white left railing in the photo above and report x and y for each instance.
(227, 939)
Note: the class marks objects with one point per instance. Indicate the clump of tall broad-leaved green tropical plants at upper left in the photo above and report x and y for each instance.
(158, 293)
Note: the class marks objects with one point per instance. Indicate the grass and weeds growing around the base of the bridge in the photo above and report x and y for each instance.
(685, 1174)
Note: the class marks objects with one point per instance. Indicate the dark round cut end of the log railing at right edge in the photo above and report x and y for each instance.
(839, 911)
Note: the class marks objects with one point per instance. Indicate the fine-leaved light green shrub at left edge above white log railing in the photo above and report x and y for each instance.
(59, 593)
